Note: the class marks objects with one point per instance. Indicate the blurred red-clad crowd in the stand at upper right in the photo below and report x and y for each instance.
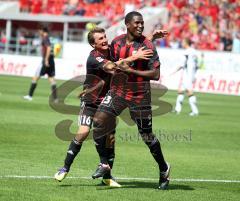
(210, 24)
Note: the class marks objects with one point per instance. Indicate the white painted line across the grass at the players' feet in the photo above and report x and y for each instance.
(120, 178)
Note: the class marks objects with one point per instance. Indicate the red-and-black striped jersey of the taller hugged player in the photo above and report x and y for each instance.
(129, 86)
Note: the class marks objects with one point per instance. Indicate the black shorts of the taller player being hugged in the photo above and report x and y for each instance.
(140, 113)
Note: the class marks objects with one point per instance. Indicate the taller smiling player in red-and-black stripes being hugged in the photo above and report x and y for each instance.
(130, 88)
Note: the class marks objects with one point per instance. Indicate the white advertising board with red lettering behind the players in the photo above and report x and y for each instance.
(220, 72)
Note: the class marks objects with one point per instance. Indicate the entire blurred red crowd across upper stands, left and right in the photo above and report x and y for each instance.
(210, 24)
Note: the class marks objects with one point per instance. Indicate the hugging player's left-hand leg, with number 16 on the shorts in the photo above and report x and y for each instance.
(85, 122)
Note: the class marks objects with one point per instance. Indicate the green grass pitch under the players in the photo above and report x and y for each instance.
(205, 147)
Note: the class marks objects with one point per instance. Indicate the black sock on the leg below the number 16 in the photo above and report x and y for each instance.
(72, 152)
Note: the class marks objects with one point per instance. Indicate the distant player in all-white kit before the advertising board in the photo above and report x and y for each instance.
(189, 67)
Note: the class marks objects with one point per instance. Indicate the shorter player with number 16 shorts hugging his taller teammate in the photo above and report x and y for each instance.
(96, 85)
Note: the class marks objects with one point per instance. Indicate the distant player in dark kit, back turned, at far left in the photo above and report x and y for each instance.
(47, 66)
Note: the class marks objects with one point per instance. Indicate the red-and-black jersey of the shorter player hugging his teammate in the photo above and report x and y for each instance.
(94, 75)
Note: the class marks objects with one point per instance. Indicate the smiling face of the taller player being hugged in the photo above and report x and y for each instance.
(136, 26)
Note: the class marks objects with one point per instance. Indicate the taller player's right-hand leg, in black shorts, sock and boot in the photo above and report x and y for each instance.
(143, 118)
